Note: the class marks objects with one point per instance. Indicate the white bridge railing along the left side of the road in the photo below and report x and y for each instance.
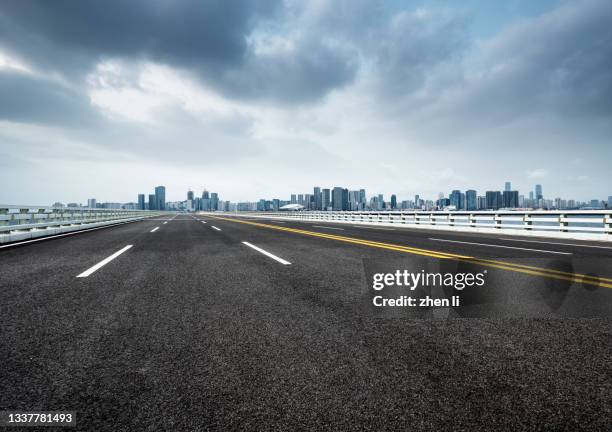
(26, 222)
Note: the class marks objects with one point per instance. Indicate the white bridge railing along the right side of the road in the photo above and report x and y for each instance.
(574, 224)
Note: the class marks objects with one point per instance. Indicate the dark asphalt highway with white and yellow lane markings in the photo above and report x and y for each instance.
(216, 323)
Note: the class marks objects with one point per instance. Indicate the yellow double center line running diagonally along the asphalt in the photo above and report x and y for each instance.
(519, 268)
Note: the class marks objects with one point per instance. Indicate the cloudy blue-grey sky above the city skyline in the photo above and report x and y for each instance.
(253, 99)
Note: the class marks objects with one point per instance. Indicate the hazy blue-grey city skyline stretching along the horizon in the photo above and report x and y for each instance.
(343, 199)
